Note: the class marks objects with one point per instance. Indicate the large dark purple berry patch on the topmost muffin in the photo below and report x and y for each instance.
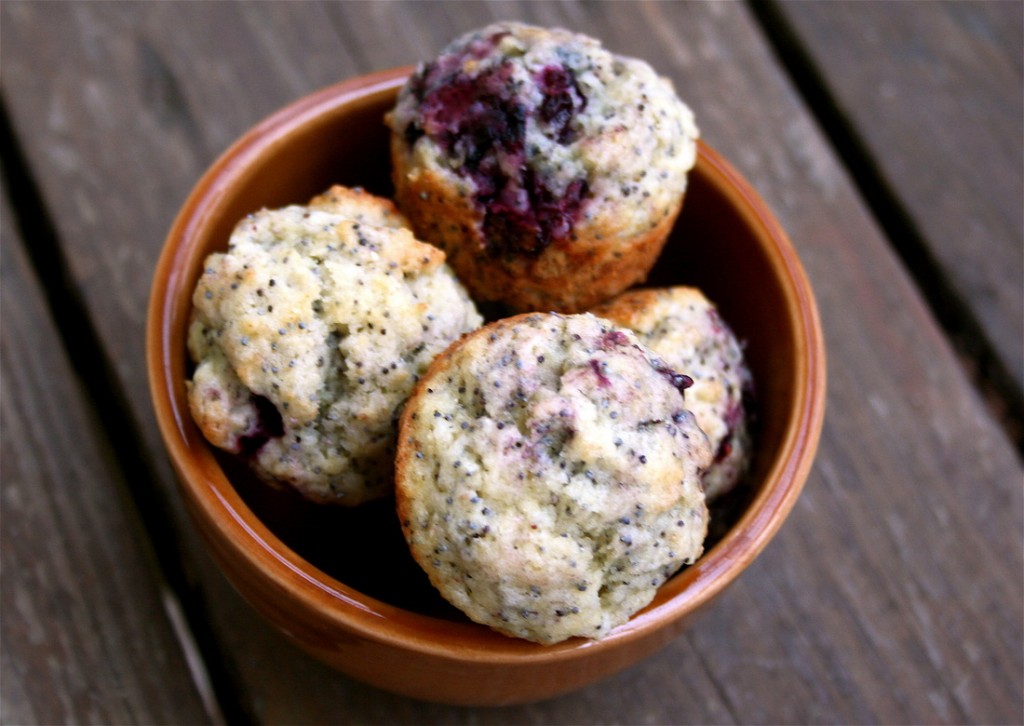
(481, 121)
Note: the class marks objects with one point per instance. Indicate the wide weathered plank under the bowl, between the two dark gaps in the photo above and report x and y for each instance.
(891, 595)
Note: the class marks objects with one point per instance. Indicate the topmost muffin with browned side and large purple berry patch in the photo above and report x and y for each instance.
(550, 170)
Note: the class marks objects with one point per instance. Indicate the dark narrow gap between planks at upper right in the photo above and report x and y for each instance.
(985, 368)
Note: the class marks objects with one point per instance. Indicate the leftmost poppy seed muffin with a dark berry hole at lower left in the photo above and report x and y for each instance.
(309, 335)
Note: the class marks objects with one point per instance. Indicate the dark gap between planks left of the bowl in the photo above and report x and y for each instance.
(96, 372)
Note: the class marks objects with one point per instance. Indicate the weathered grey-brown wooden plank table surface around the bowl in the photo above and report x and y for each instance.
(888, 139)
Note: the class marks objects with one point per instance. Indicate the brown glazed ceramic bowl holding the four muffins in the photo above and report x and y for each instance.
(340, 583)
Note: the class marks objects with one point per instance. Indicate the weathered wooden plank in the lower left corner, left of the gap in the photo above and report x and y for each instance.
(86, 637)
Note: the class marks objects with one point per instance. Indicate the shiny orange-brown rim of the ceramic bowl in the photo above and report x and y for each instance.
(212, 499)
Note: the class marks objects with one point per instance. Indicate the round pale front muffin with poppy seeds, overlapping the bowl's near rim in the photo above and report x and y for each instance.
(548, 477)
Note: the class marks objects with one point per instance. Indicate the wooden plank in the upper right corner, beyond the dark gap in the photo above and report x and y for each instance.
(933, 92)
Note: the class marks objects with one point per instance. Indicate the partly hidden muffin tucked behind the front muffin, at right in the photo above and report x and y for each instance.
(684, 328)
